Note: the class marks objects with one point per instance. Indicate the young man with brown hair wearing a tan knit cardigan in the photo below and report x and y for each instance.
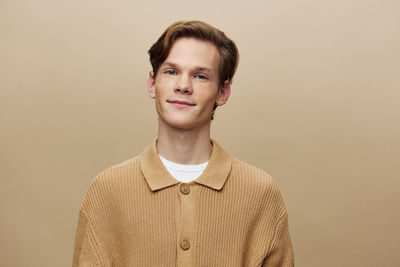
(185, 201)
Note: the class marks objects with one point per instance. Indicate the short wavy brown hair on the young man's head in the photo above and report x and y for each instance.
(228, 52)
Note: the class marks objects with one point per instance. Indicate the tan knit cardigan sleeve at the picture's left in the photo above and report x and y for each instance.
(87, 251)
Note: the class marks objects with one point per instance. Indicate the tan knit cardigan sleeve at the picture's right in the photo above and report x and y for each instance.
(281, 254)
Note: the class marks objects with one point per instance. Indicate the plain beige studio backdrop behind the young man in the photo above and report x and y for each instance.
(314, 103)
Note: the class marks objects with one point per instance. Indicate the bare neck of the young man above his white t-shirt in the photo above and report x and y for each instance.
(184, 146)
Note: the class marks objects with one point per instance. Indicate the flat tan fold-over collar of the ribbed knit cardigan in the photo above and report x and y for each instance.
(158, 177)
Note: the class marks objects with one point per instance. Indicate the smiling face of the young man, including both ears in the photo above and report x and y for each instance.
(186, 86)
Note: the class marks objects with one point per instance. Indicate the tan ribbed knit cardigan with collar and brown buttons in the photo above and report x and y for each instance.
(136, 214)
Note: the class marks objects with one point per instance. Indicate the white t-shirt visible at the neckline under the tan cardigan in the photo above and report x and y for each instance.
(184, 173)
